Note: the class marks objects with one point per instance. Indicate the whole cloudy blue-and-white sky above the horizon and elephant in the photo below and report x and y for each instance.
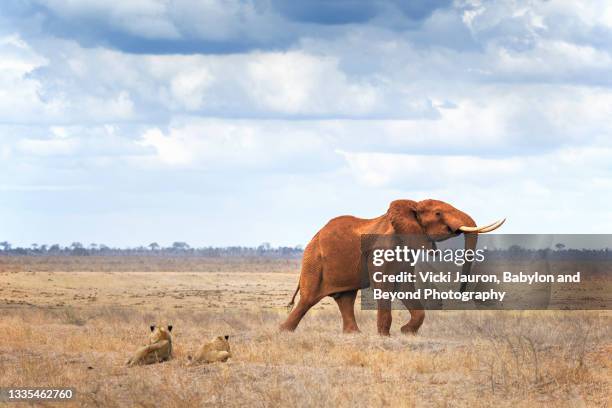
(223, 122)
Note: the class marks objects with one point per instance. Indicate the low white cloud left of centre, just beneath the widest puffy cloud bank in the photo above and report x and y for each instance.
(234, 146)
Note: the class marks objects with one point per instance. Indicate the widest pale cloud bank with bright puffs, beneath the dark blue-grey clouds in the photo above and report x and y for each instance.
(104, 84)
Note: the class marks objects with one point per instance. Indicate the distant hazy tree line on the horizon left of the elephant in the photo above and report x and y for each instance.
(176, 249)
